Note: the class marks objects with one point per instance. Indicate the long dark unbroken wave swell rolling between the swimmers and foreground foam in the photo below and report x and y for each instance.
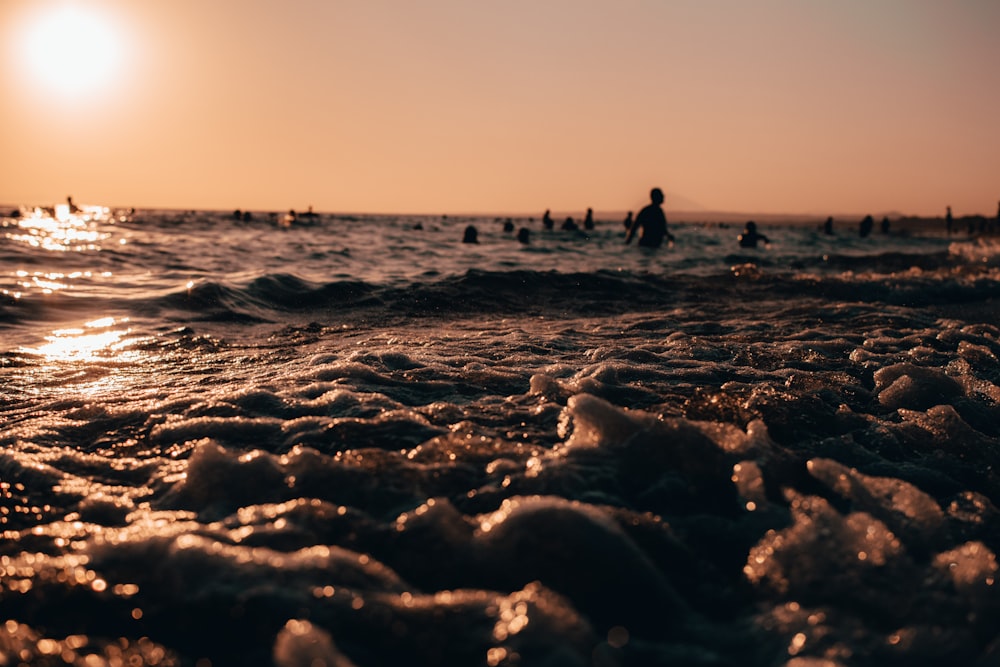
(480, 292)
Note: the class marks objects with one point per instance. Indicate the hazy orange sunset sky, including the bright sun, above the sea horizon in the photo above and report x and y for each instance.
(439, 106)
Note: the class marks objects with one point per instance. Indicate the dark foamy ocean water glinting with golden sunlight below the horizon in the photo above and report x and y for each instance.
(356, 440)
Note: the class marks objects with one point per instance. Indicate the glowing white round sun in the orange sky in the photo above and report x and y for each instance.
(70, 49)
